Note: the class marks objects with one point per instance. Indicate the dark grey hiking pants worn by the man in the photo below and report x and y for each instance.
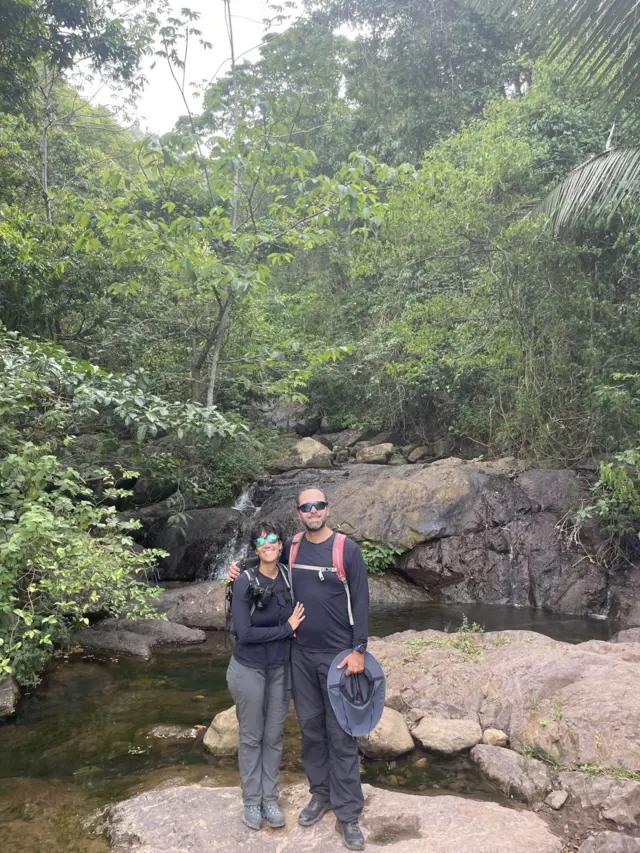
(329, 754)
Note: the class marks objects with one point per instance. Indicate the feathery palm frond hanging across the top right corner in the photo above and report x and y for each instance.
(602, 37)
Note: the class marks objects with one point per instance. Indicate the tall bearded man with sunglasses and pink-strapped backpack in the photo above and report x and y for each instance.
(329, 754)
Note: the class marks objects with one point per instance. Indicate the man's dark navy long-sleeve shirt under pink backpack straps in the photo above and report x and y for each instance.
(326, 625)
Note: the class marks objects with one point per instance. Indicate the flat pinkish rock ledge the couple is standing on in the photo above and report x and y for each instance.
(194, 819)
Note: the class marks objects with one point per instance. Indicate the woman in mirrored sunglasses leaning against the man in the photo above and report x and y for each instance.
(258, 676)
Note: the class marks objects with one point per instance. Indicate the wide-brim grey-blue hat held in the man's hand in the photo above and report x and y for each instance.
(357, 700)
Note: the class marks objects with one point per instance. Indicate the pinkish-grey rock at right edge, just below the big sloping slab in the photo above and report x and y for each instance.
(609, 797)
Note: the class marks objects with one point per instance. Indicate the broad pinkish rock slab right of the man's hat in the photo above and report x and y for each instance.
(539, 691)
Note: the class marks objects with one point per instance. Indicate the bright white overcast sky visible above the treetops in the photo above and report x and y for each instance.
(161, 103)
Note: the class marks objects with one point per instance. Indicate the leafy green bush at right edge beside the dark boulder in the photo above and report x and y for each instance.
(616, 496)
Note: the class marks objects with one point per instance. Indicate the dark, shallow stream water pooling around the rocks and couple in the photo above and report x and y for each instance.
(81, 739)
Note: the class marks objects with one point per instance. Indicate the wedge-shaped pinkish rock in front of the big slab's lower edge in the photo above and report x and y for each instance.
(525, 779)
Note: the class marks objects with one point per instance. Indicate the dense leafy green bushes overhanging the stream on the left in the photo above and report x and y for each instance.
(63, 554)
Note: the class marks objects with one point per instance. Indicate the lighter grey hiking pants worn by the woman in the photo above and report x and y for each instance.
(262, 700)
